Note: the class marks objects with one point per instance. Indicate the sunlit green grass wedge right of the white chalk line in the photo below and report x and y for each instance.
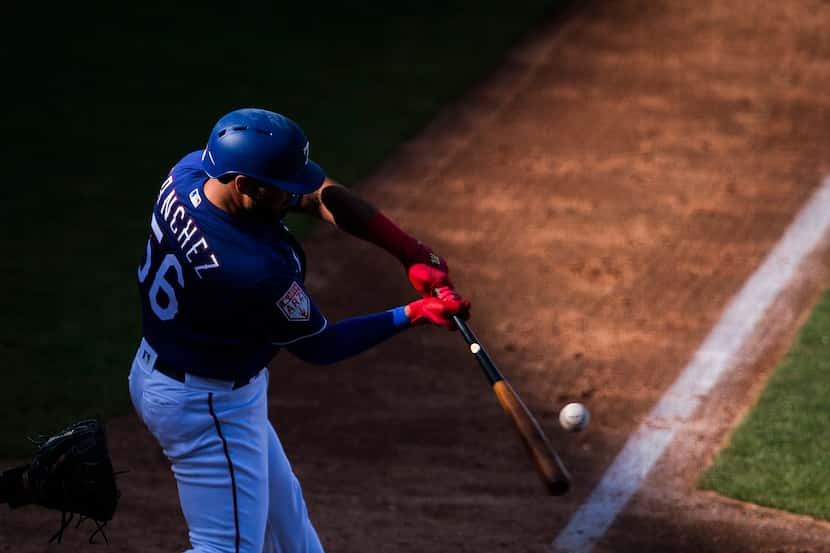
(778, 455)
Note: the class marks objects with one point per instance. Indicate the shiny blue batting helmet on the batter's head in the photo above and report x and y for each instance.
(265, 146)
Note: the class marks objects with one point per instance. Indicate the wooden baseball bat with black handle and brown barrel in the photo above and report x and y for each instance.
(550, 468)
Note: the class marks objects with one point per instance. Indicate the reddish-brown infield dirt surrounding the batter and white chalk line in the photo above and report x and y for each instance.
(600, 199)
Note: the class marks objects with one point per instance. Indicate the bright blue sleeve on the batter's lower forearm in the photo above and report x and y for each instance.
(349, 337)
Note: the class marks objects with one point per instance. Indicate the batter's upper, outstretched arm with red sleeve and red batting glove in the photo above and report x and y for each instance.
(354, 215)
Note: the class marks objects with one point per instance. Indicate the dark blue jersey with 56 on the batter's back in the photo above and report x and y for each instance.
(219, 295)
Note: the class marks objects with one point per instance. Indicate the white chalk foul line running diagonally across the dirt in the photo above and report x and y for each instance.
(717, 354)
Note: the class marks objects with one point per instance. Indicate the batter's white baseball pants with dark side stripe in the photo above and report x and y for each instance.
(236, 487)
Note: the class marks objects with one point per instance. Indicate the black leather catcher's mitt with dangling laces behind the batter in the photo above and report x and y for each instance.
(72, 472)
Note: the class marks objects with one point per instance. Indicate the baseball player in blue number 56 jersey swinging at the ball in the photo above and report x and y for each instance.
(221, 286)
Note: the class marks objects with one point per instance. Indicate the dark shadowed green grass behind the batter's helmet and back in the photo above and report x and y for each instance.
(101, 102)
